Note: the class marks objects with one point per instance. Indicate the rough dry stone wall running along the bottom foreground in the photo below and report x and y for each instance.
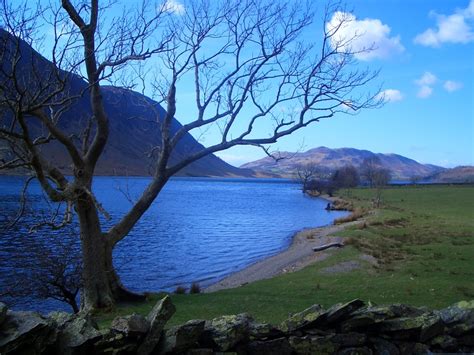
(350, 328)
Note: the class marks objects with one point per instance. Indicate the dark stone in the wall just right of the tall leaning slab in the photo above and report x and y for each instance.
(181, 338)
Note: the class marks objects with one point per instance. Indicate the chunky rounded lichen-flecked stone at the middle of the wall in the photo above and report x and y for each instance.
(226, 332)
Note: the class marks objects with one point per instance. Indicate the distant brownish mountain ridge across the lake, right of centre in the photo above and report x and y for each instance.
(327, 159)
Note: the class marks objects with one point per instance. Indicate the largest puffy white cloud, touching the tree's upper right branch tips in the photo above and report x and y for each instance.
(362, 35)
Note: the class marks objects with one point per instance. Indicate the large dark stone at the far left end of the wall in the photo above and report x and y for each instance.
(26, 333)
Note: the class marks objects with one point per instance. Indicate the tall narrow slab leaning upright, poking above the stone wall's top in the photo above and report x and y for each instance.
(157, 318)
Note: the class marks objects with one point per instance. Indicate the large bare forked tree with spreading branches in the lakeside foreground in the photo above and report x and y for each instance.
(252, 64)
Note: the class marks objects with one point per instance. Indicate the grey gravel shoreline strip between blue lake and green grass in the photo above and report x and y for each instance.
(298, 255)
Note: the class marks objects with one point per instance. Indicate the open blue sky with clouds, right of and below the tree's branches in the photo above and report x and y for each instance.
(426, 56)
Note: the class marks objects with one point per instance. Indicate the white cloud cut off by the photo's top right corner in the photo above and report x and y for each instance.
(455, 28)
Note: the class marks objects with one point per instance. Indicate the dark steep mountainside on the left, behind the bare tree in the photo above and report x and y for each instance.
(134, 129)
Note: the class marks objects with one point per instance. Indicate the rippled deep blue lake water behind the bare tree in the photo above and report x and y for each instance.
(198, 229)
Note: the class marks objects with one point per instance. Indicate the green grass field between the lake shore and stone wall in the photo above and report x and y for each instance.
(422, 238)
